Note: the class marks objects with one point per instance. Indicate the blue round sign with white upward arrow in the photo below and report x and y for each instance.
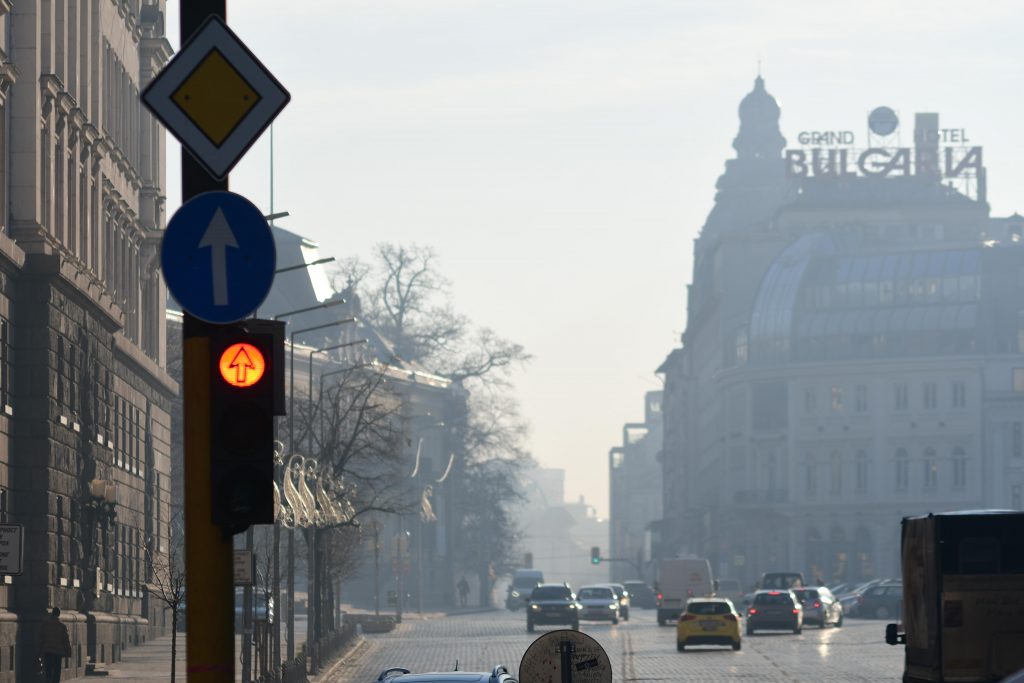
(219, 258)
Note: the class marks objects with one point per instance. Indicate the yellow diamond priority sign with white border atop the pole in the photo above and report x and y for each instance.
(216, 97)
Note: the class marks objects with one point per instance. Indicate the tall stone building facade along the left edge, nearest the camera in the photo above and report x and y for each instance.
(84, 396)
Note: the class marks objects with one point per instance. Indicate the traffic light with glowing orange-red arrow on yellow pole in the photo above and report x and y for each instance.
(247, 374)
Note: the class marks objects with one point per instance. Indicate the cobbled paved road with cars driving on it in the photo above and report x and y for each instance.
(639, 652)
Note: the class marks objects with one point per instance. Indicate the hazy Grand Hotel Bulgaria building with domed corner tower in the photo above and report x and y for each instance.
(855, 354)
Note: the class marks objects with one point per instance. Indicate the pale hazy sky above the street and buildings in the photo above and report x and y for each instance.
(562, 155)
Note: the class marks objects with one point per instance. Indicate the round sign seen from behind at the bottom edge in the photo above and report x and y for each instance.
(566, 657)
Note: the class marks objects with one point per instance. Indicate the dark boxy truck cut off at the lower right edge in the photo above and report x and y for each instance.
(963, 614)
